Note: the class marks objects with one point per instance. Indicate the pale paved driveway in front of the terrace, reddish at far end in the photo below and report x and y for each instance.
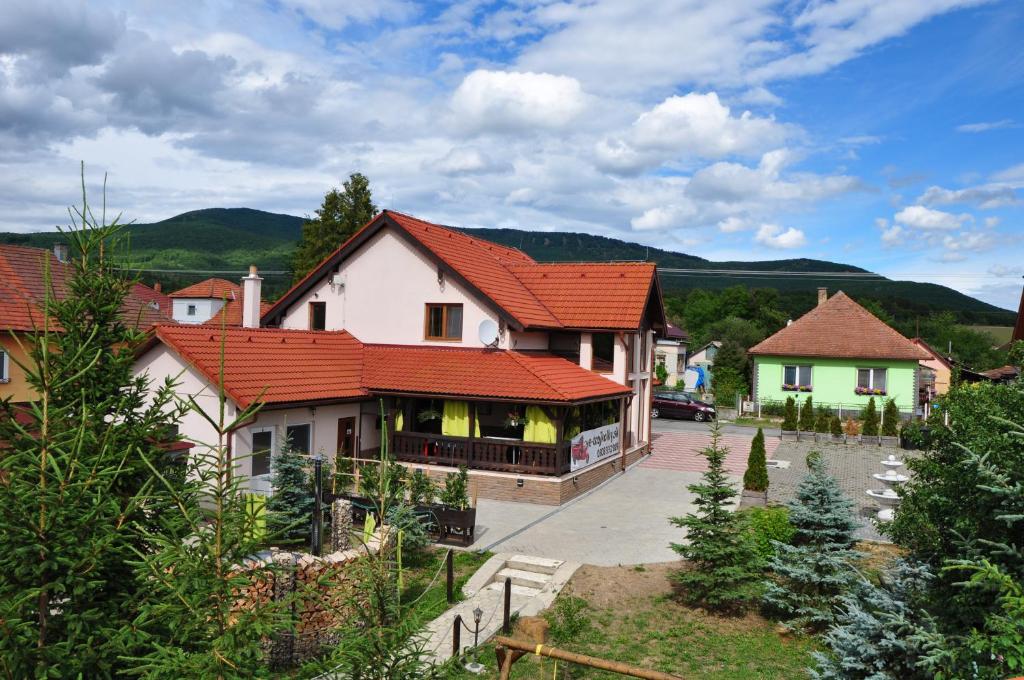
(624, 522)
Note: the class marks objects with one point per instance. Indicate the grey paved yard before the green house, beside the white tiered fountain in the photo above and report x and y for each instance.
(852, 465)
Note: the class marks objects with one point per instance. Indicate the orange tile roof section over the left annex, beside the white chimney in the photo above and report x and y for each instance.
(273, 366)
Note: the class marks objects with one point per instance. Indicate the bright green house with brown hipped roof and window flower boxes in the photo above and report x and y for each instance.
(841, 355)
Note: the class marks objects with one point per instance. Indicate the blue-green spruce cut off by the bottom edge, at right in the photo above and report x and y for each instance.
(882, 632)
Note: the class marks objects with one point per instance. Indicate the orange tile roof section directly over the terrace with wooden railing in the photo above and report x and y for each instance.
(482, 373)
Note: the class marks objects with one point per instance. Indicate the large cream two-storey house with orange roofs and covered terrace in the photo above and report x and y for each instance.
(535, 376)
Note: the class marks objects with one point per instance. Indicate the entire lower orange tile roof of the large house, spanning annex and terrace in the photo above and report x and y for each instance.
(278, 366)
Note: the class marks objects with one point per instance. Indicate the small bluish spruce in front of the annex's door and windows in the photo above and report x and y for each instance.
(290, 511)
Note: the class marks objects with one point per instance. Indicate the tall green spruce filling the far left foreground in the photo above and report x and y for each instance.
(76, 473)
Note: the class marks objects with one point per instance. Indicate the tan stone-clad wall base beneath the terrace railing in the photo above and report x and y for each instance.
(540, 490)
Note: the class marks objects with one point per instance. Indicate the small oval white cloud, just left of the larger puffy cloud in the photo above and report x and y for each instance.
(511, 102)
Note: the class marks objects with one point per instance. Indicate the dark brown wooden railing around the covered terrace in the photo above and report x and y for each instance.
(482, 453)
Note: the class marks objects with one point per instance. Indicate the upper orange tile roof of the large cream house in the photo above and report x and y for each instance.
(578, 295)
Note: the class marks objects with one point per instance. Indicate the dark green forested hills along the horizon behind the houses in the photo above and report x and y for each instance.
(231, 239)
